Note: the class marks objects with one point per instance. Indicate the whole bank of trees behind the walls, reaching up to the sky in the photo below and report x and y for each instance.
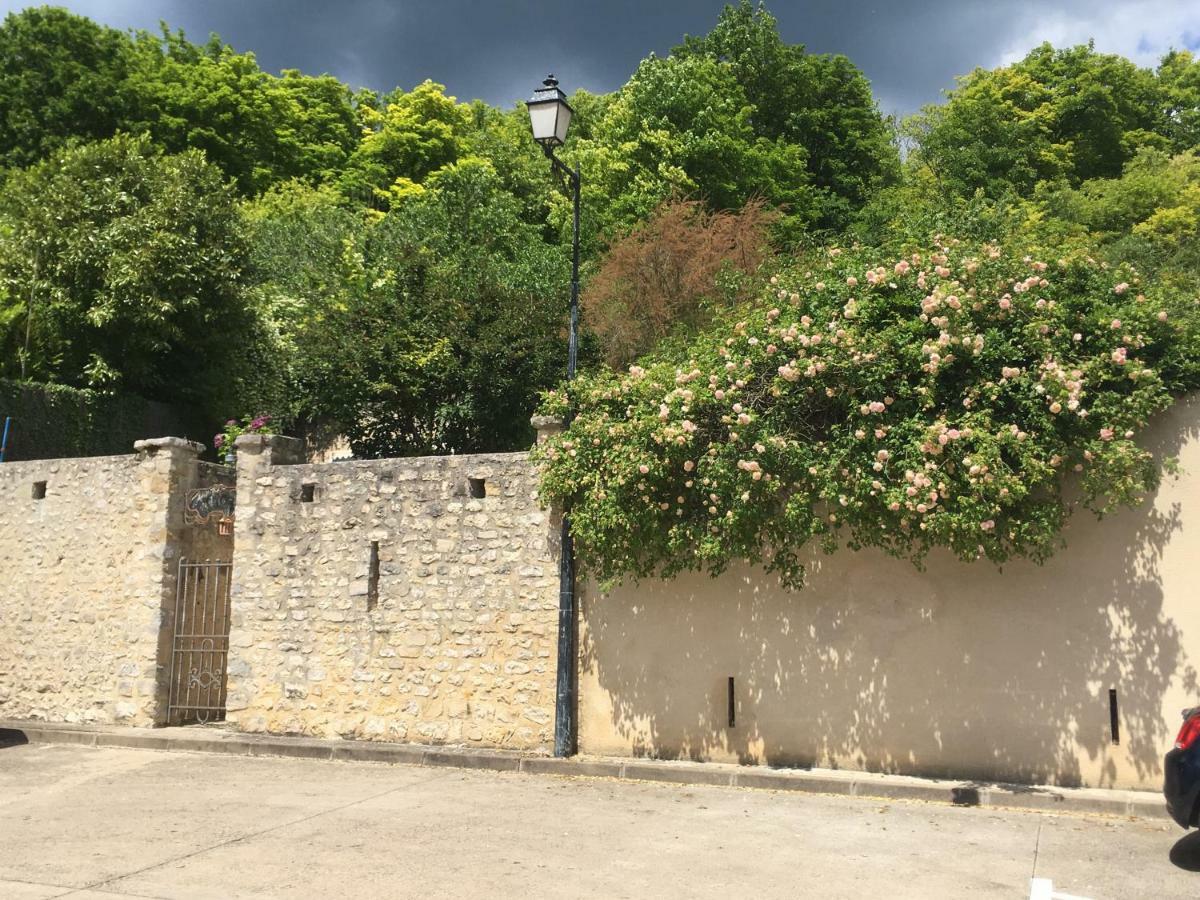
(397, 266)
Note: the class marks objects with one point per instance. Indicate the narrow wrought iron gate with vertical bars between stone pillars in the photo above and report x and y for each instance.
(201, 644)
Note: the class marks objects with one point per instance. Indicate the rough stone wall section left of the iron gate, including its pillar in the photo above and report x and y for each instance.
(88, 551)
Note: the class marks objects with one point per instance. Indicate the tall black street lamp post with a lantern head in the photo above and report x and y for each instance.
(550, 117)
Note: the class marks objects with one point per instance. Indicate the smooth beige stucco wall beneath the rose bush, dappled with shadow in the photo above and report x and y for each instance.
(961, 670)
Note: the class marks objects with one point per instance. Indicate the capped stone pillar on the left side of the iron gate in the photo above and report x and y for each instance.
(166, 469)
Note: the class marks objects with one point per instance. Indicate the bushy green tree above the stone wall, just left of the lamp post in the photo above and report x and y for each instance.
(447, 319)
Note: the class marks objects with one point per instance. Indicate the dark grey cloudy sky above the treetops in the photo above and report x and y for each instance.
(500, 50)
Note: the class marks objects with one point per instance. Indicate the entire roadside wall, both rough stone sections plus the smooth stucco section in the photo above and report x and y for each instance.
(416, 601)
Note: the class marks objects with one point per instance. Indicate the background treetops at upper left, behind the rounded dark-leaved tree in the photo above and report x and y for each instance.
(67, 79)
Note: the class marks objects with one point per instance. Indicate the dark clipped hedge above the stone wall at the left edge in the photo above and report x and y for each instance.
(53, 422)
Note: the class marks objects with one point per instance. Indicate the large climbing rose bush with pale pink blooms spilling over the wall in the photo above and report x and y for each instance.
(939, 399)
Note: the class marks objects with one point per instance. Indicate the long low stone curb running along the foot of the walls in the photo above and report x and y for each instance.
(1142, 805)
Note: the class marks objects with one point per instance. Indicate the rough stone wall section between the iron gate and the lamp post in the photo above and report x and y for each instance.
(381, 601)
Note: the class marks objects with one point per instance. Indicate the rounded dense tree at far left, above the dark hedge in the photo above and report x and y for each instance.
(125, 266)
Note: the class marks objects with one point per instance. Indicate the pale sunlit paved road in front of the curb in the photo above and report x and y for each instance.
(95, 825)
